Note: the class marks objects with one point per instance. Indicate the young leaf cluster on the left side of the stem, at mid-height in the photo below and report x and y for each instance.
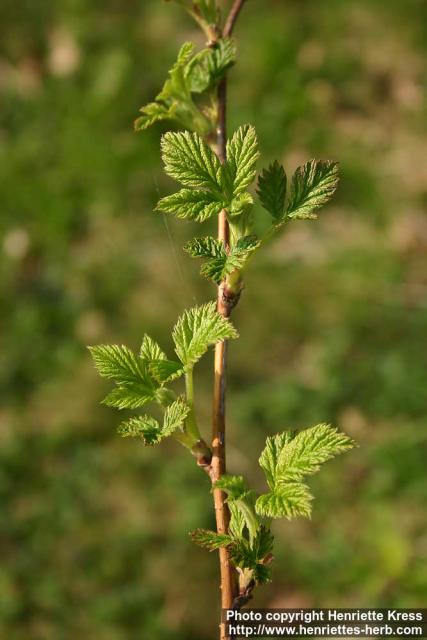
(140, 379)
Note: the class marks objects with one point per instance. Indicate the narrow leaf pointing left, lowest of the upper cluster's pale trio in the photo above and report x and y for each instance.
(192, 204)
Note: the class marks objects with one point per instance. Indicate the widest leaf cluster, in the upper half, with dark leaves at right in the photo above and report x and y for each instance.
(210, 187)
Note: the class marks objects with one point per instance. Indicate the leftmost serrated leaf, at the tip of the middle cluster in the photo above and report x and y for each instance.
(117, 363)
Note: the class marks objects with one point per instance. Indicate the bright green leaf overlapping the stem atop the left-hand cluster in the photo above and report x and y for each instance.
(197, 329)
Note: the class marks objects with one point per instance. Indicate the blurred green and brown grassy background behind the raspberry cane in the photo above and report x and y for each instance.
(94, 529)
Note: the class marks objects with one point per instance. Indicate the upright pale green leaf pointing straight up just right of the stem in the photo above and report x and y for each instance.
(242, 155)
